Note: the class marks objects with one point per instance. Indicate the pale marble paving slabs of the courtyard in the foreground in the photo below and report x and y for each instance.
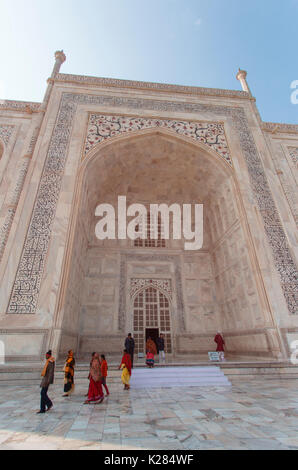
(254, 414)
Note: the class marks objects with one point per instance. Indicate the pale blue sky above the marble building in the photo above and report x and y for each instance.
(186, 42)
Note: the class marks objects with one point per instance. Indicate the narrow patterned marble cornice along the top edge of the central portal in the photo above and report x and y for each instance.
(150, 86)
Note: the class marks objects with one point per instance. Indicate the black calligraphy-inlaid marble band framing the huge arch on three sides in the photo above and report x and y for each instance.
(25, 291)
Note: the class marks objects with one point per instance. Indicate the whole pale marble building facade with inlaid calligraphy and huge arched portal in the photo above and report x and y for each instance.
(93, 139)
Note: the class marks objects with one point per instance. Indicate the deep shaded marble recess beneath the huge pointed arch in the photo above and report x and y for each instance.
(213, 288)
